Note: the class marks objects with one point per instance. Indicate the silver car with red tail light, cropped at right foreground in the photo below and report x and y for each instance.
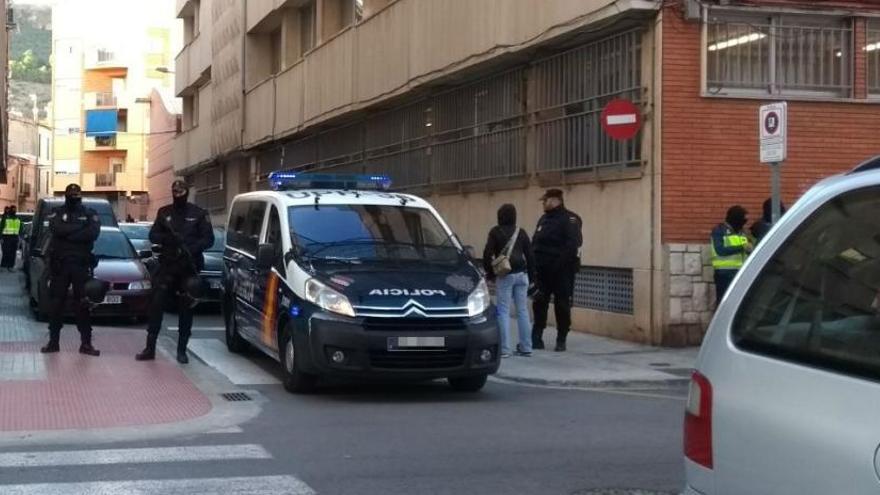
(786, 391)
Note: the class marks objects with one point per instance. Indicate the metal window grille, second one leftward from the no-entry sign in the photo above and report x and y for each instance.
(479, 130)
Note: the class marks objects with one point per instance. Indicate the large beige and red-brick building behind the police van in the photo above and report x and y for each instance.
(478, 103)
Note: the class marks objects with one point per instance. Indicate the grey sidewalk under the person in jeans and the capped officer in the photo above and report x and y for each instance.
(599, 362)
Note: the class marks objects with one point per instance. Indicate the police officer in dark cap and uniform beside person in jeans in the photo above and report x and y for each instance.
(556, 245)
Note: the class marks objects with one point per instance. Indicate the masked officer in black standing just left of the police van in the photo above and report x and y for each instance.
(183, 231)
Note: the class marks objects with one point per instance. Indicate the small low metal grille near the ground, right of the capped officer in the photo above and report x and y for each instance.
(604, 289)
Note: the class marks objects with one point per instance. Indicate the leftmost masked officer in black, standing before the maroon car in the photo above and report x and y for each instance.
(73, 229)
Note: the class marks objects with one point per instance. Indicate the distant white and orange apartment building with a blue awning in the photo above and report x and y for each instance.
(107, 58)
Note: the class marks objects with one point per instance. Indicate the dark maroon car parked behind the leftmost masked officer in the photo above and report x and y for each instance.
(118, 263)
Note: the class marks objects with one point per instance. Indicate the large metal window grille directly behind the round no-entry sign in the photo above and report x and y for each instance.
(570, 90)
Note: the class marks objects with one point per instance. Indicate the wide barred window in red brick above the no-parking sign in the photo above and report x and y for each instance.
(779, 55)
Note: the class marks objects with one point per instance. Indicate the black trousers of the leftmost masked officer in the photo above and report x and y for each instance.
(64, 274)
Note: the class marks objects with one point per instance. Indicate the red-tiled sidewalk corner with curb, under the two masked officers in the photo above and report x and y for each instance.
(70, 391)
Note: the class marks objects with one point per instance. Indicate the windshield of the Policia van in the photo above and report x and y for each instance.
(370, 233)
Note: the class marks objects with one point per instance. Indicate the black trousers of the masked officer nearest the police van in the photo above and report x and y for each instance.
(168, 283)
